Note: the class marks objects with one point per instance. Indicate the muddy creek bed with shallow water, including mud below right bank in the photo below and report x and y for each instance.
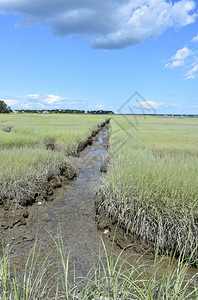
(72, 214)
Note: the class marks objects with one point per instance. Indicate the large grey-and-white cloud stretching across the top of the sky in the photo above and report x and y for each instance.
(110, 24)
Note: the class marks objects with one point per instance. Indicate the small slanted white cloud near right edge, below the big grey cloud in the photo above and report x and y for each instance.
(179, 59)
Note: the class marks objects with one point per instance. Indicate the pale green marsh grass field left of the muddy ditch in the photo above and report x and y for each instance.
(26, 159)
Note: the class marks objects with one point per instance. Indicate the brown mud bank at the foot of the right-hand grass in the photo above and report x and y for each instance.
(137, 252)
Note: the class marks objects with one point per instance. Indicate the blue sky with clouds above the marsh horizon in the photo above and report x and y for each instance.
(91, 54)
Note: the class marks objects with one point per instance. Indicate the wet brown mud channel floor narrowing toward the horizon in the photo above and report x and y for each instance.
(72, 212)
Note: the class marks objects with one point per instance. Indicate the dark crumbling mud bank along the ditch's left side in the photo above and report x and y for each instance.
(15, 213)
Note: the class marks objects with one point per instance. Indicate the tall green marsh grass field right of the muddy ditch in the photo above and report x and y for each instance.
(151, 187)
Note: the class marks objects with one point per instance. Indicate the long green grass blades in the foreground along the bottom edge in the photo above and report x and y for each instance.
(111, 277)
